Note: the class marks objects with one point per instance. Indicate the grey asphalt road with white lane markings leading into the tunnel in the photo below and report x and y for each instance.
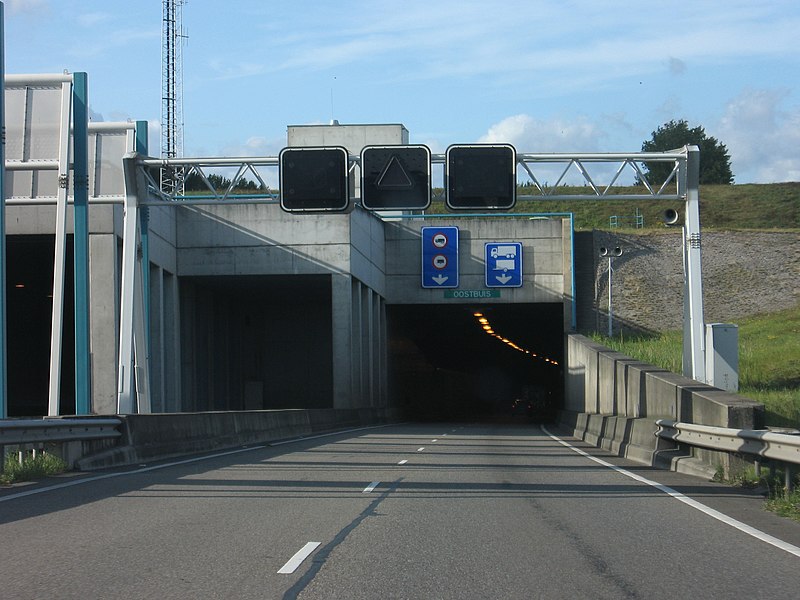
(412, 511)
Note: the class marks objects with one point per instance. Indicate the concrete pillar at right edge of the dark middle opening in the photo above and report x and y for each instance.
(342, 338)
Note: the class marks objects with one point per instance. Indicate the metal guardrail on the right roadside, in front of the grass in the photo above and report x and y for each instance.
(781, 447)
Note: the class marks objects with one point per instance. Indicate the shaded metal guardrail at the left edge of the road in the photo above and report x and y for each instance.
(35, 431)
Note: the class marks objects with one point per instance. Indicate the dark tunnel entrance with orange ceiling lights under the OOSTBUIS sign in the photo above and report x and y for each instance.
(444, 364)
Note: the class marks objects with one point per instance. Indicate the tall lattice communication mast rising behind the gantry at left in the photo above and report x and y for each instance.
(172, 37)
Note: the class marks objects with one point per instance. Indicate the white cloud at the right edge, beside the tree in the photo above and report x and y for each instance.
(762, 137)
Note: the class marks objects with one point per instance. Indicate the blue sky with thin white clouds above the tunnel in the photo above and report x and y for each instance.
(544, 75)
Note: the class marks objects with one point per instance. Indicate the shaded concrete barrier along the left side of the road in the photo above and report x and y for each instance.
(152, 437)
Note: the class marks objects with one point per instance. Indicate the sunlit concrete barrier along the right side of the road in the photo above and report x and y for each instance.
(612, 401)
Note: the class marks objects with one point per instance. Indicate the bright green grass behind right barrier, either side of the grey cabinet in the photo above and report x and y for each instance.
(769, 361)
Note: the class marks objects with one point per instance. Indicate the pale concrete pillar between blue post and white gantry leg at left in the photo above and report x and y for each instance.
(104, 321)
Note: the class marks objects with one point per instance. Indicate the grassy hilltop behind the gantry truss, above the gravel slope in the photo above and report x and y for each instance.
(746, 206)
